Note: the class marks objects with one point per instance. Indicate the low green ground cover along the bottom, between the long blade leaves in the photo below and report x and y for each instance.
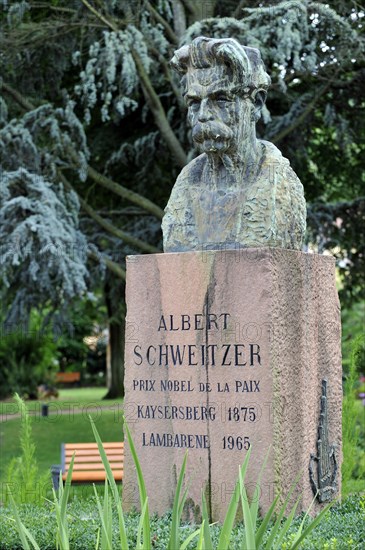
(342, 528)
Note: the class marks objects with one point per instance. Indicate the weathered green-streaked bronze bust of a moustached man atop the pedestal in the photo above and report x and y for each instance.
(240, 191)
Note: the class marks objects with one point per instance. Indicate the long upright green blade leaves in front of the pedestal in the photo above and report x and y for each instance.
(273, 533)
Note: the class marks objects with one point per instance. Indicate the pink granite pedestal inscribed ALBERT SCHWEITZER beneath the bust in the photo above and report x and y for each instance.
(226, 349)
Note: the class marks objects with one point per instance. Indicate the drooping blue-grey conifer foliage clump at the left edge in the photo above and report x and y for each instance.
(47, 219)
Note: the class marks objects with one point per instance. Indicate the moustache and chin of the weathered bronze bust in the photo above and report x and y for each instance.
(212, 137)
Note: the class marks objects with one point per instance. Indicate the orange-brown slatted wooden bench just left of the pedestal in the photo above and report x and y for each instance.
(88, 465)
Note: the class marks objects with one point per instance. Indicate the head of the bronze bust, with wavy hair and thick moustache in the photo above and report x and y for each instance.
(225, 86)
